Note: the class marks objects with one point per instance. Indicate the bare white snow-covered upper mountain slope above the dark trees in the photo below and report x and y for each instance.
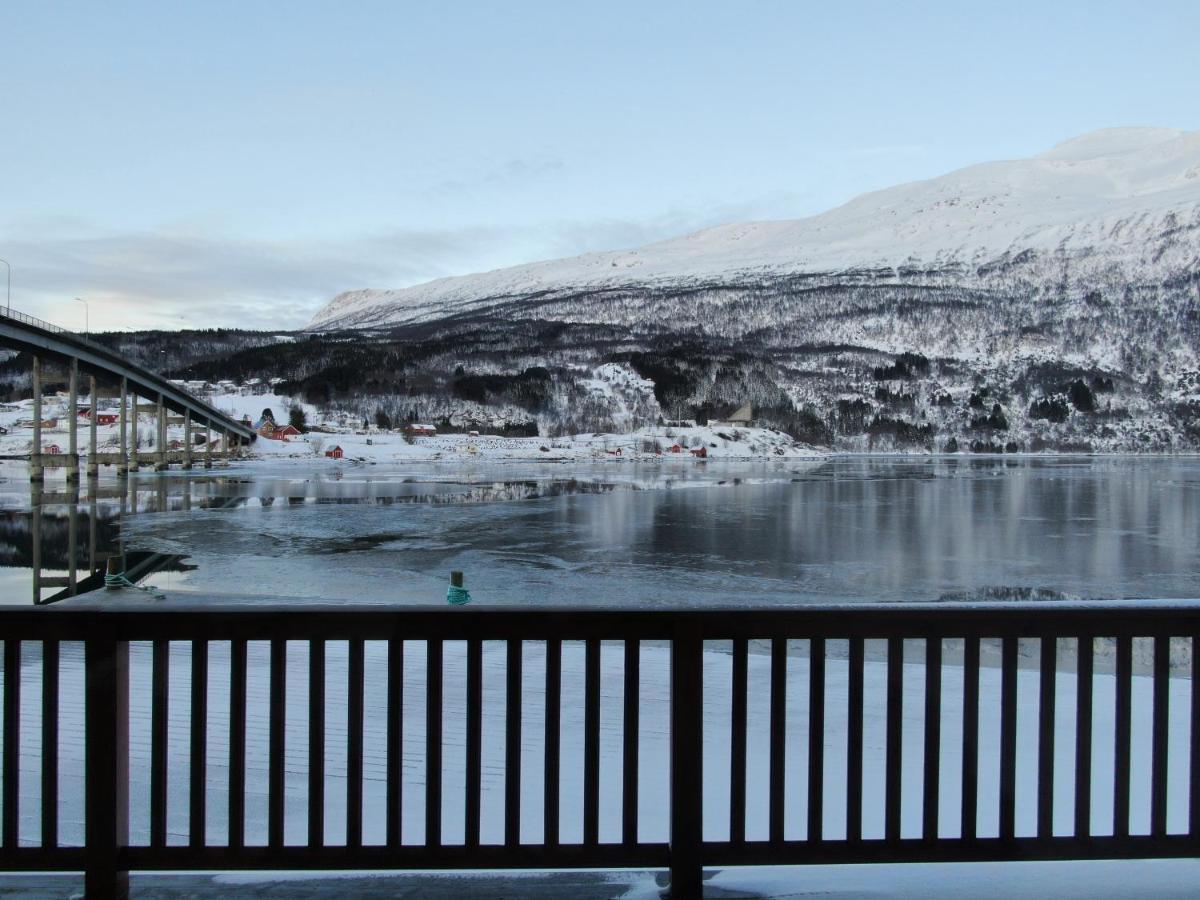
(1115, 206)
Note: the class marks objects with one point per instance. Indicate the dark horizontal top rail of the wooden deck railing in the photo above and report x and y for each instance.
(255, 621)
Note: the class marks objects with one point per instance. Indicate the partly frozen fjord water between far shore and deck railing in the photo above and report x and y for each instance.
(842, 530)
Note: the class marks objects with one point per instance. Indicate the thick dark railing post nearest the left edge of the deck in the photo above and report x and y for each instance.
(107, 765)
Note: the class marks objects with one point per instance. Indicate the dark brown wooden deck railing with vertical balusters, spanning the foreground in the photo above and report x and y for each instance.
(895, 764)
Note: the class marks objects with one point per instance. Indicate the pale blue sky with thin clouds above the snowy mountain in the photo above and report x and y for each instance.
(239, 164)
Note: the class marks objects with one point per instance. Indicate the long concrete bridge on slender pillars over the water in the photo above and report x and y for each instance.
(81, 357)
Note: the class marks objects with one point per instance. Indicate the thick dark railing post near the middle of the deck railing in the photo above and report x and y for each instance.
(687, 763)
